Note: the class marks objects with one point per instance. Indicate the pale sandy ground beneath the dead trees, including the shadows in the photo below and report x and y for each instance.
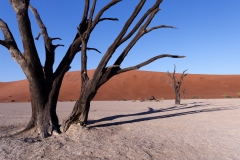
(198, 129)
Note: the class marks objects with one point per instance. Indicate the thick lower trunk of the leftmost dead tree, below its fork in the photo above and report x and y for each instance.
(44, 101)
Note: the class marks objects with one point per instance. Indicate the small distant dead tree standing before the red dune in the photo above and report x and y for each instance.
(176, 85)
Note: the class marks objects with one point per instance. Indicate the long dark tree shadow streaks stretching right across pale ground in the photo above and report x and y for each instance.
(152, 111)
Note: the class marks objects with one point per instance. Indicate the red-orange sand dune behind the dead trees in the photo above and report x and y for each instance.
(133, 85)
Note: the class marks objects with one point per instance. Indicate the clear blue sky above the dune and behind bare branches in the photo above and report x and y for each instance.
(208, 34)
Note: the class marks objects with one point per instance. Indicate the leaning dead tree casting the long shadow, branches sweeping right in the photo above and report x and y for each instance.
(103, 72)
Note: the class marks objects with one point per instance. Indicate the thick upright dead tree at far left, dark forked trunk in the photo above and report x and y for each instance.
(44, 84)
